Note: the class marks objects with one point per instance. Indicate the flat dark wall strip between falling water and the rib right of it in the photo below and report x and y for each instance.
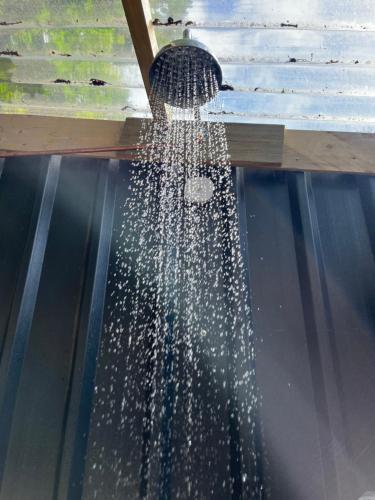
(289, 414)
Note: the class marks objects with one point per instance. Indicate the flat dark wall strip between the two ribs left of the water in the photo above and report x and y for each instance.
(39, 414)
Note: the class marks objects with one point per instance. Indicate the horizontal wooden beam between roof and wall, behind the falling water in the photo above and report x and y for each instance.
(303, 150)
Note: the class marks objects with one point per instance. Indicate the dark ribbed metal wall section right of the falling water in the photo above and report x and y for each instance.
(313, 299)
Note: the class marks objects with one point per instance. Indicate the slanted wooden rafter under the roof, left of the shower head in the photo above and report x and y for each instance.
(138, 16)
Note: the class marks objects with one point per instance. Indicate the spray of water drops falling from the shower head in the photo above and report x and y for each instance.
(176, 399)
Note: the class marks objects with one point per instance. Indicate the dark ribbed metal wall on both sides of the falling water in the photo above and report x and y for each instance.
(310, 248)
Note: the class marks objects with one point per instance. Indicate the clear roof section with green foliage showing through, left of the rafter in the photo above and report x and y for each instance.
(68, 58)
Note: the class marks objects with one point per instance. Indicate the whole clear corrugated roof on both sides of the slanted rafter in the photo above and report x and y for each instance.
(307, 64)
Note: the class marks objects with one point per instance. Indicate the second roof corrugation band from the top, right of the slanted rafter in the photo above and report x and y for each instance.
(237, 44)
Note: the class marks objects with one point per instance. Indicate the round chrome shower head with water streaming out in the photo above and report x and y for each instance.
(185, 74)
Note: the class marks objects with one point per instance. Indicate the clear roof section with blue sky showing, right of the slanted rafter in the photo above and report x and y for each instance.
(309, 64)
